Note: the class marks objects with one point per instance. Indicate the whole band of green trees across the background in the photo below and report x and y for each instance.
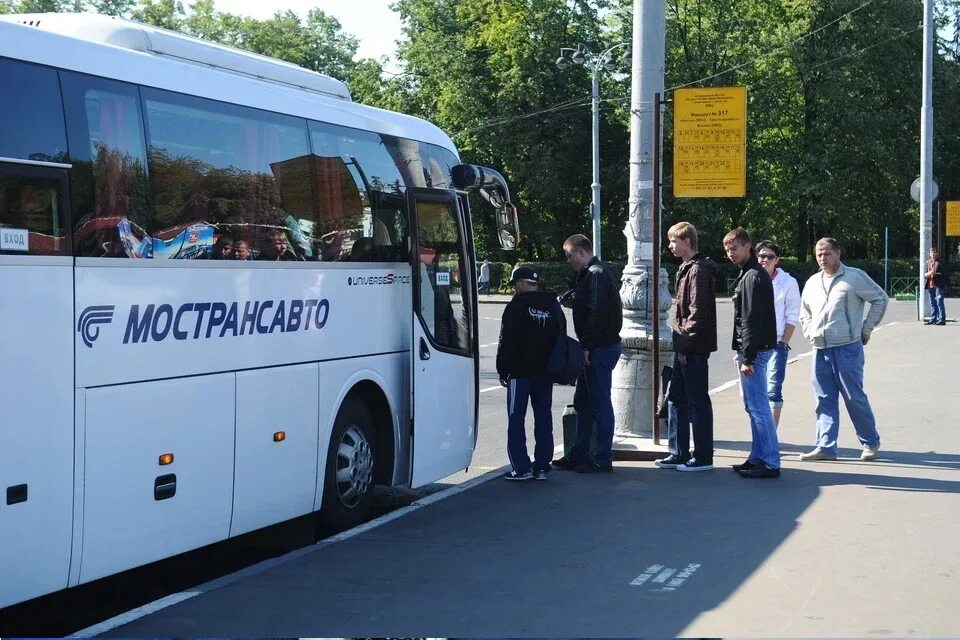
(833, 111)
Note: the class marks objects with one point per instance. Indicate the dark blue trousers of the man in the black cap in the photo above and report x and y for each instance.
(539, 390)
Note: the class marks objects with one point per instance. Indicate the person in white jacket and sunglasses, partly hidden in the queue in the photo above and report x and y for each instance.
(786, 303)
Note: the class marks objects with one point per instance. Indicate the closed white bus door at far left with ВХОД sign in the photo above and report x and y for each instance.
(36, 380)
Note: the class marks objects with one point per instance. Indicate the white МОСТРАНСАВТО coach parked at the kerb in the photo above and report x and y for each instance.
(230, 297)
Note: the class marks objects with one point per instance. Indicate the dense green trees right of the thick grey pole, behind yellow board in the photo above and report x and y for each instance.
(833, 135)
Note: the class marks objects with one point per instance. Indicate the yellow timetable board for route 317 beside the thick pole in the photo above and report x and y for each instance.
(710, 143)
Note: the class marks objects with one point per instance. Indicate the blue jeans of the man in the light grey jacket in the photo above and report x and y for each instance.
(838, 371)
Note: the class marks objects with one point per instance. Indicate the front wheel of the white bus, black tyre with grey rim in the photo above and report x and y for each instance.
(348, 480)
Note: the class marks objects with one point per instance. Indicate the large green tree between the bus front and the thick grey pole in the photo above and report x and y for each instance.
(483, 70)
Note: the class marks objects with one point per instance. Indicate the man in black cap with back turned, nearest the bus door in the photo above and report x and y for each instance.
(531, 323)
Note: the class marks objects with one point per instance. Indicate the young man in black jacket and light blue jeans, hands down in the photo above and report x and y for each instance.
(754, 340)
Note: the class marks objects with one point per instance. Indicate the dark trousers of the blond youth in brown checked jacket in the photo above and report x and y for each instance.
(689, 404)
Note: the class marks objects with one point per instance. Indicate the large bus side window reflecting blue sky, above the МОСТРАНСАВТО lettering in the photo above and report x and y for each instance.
(214, 167)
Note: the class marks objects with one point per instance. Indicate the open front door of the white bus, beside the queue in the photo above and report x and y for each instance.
(444, 346)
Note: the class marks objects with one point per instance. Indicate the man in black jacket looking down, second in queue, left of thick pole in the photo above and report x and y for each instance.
(597, 319)
